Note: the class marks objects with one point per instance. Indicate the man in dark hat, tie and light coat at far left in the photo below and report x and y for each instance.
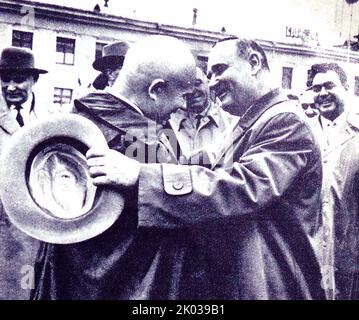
(18, 74)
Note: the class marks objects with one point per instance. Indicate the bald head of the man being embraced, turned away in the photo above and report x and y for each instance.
(158, 73)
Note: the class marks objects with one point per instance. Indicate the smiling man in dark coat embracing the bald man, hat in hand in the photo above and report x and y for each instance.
(257, 211)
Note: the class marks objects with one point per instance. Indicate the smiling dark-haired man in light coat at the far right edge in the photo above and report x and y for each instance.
(337, 128)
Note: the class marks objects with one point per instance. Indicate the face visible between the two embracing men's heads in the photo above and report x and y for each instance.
(198, 100)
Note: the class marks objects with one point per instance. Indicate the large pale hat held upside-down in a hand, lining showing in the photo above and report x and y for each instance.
(45, 187)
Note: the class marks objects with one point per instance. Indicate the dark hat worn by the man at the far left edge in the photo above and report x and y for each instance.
(18, 59)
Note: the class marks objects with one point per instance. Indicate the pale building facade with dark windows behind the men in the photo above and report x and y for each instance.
(65, 41)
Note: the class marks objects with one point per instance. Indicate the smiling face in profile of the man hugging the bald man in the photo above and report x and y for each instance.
(231, 77)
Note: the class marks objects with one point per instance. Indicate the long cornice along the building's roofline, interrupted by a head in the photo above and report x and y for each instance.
(72, 15)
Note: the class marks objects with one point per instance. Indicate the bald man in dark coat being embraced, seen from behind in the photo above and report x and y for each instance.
(128, 261)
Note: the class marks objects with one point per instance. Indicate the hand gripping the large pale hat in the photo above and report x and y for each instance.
(109, 167)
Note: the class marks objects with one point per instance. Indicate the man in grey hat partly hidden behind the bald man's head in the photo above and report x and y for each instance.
(109, 64)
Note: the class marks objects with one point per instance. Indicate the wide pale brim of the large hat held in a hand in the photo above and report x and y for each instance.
(18, 202)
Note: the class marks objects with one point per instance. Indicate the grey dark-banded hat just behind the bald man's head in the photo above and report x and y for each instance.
(113, 56)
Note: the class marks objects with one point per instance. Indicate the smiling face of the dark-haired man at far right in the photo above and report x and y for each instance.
(329, 94)
